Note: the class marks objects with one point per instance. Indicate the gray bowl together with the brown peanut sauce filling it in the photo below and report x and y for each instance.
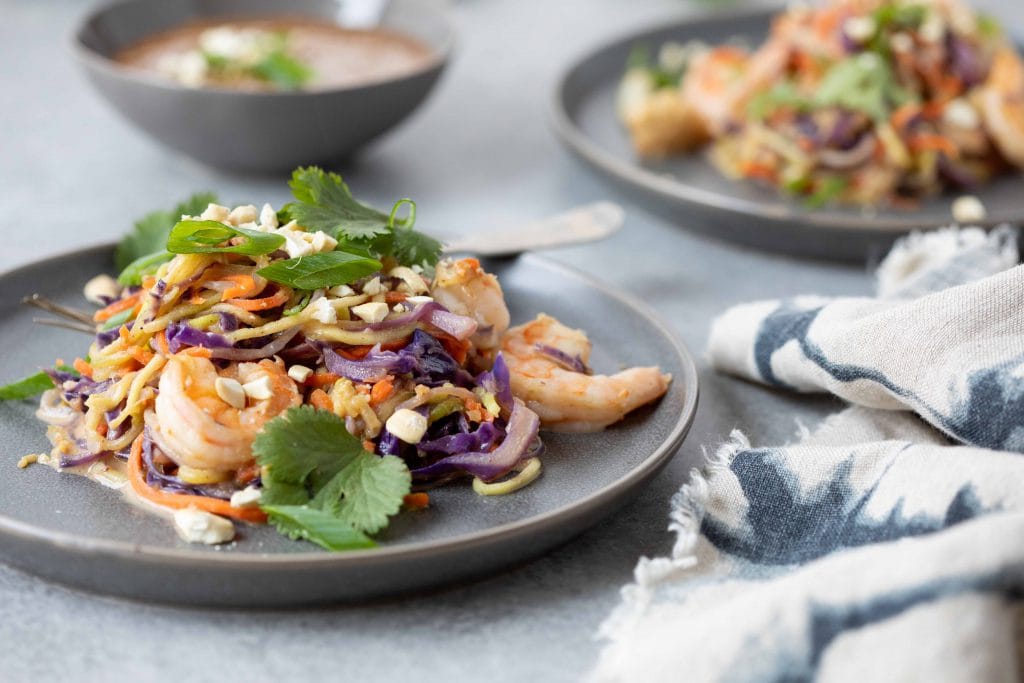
(237, 86)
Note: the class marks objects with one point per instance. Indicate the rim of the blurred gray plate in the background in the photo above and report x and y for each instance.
(638, 179)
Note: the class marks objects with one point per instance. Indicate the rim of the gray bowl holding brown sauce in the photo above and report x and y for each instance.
(94, 60)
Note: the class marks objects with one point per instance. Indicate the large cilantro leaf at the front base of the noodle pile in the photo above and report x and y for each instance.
(314, 464)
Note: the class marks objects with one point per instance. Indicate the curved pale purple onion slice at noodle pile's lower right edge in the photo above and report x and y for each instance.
(521, 438)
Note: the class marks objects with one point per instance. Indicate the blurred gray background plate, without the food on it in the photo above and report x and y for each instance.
(690, 191)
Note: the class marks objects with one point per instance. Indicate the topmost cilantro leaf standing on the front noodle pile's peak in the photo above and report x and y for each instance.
(325, 203)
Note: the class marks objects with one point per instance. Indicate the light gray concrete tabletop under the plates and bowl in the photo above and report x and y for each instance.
(480, 155)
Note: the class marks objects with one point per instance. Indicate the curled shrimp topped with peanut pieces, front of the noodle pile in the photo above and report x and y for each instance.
(198, 430)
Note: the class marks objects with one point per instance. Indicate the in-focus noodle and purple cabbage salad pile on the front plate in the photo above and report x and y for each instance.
(295, 367)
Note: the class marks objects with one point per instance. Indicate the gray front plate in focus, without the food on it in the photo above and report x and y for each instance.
(68, 529)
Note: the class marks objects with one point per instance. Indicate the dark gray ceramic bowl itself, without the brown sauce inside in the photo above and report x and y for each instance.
(258, 132)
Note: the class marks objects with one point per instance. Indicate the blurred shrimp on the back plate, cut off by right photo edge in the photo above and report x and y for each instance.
(1001, 101)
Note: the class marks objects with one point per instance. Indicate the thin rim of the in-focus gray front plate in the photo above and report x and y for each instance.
(314, 560)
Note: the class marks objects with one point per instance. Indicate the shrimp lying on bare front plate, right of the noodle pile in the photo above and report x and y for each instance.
(569, 401)
